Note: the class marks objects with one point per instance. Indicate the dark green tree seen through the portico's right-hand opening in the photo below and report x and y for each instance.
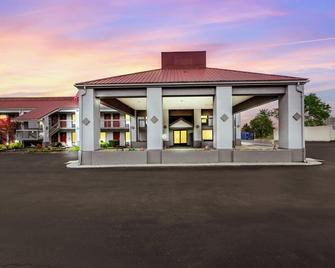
(262, 125)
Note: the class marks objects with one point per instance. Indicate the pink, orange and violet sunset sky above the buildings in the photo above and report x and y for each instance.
(46, 46)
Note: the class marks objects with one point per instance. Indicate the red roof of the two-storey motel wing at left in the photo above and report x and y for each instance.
(39, 107)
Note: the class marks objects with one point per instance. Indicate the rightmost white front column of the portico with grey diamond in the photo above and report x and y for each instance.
(291, 120)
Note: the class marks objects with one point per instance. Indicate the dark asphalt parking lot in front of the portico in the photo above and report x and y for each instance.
(51, 216)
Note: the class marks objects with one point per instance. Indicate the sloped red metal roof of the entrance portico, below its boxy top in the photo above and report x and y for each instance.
(205, 75)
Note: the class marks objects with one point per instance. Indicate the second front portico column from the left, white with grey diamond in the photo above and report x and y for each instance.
(154, 125)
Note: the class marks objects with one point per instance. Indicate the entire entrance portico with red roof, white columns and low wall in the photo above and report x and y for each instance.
(210, 100)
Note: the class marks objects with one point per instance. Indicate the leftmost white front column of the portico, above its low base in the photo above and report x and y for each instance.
(89, 121)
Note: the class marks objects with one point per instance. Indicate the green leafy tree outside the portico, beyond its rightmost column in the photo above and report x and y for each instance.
(316, 111)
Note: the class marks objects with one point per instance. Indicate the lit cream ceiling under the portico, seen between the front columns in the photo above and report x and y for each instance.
(176, 103)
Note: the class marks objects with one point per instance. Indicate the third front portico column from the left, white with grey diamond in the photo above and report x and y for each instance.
(223, 122)
